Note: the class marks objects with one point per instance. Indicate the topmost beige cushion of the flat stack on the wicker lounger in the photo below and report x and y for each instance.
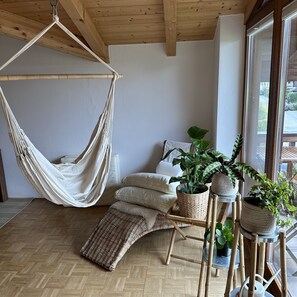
(152, 181)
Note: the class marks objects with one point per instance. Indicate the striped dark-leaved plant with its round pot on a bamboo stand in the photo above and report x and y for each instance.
(226, 172)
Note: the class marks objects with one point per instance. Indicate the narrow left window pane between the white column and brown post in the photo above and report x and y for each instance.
(257, 97)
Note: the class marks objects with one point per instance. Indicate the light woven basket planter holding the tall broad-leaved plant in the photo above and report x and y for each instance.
(192, 205)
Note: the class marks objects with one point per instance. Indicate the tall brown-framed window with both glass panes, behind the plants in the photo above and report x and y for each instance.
(270, 124)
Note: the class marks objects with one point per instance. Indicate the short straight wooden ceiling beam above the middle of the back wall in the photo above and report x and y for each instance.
(170, 11)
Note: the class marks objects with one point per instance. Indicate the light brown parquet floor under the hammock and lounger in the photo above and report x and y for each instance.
(39, 257)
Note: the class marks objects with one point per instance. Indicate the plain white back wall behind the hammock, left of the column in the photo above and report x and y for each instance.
(158, 98)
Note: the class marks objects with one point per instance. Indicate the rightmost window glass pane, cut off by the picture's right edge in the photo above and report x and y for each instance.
(287, 135)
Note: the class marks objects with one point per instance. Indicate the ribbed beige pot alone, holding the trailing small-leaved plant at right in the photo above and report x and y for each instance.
(255, 219)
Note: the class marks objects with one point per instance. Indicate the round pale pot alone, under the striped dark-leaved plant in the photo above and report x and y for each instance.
(221, 185)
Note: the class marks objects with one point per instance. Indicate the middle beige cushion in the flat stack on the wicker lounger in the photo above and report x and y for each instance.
(145, 197)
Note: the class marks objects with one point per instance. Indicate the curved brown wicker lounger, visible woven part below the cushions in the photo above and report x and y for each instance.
(114, 235)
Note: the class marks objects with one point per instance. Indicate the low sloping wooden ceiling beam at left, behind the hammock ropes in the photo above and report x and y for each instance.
(22, 28)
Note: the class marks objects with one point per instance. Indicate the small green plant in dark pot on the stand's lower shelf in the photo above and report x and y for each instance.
(223, 237)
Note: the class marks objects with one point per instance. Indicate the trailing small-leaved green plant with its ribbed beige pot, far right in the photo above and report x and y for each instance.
(269, 204)
